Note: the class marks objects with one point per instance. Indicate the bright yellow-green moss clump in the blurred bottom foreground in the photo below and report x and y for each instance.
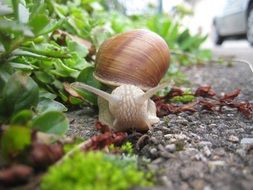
(95, 171)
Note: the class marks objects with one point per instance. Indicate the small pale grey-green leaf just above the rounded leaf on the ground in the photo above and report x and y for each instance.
(46, 105)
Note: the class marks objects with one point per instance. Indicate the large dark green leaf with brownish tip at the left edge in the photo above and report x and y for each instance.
(20, 92)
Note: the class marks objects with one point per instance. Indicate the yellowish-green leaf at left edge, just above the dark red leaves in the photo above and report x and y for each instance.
(14, 140)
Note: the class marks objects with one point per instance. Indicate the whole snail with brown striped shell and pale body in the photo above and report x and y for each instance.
(133, 61)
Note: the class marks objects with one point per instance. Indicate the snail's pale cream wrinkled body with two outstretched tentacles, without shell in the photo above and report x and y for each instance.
(127, 107)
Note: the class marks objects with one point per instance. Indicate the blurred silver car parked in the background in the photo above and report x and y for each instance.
(235, 21)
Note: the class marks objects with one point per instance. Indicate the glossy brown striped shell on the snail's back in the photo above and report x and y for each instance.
(138, 57)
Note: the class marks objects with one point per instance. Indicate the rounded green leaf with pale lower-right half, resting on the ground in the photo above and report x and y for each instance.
(51, 122)
